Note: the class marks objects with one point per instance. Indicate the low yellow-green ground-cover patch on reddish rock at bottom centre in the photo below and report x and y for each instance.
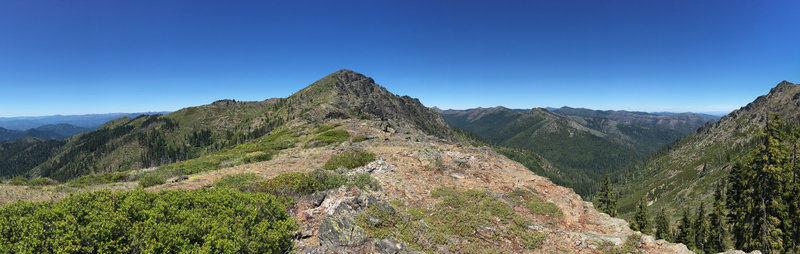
(470, 216)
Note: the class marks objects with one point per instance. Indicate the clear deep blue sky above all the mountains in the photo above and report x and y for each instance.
(73, 57)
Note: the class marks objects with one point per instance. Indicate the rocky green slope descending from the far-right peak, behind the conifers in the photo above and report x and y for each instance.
(685, 173)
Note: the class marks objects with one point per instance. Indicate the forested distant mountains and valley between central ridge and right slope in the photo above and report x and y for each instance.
(577, 146)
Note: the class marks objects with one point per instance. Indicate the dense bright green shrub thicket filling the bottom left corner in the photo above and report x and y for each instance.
(205, 221)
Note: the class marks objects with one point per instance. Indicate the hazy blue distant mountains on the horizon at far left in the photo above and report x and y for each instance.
(87, 121)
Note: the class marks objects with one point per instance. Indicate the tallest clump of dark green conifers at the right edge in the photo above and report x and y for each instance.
(764, 195)
